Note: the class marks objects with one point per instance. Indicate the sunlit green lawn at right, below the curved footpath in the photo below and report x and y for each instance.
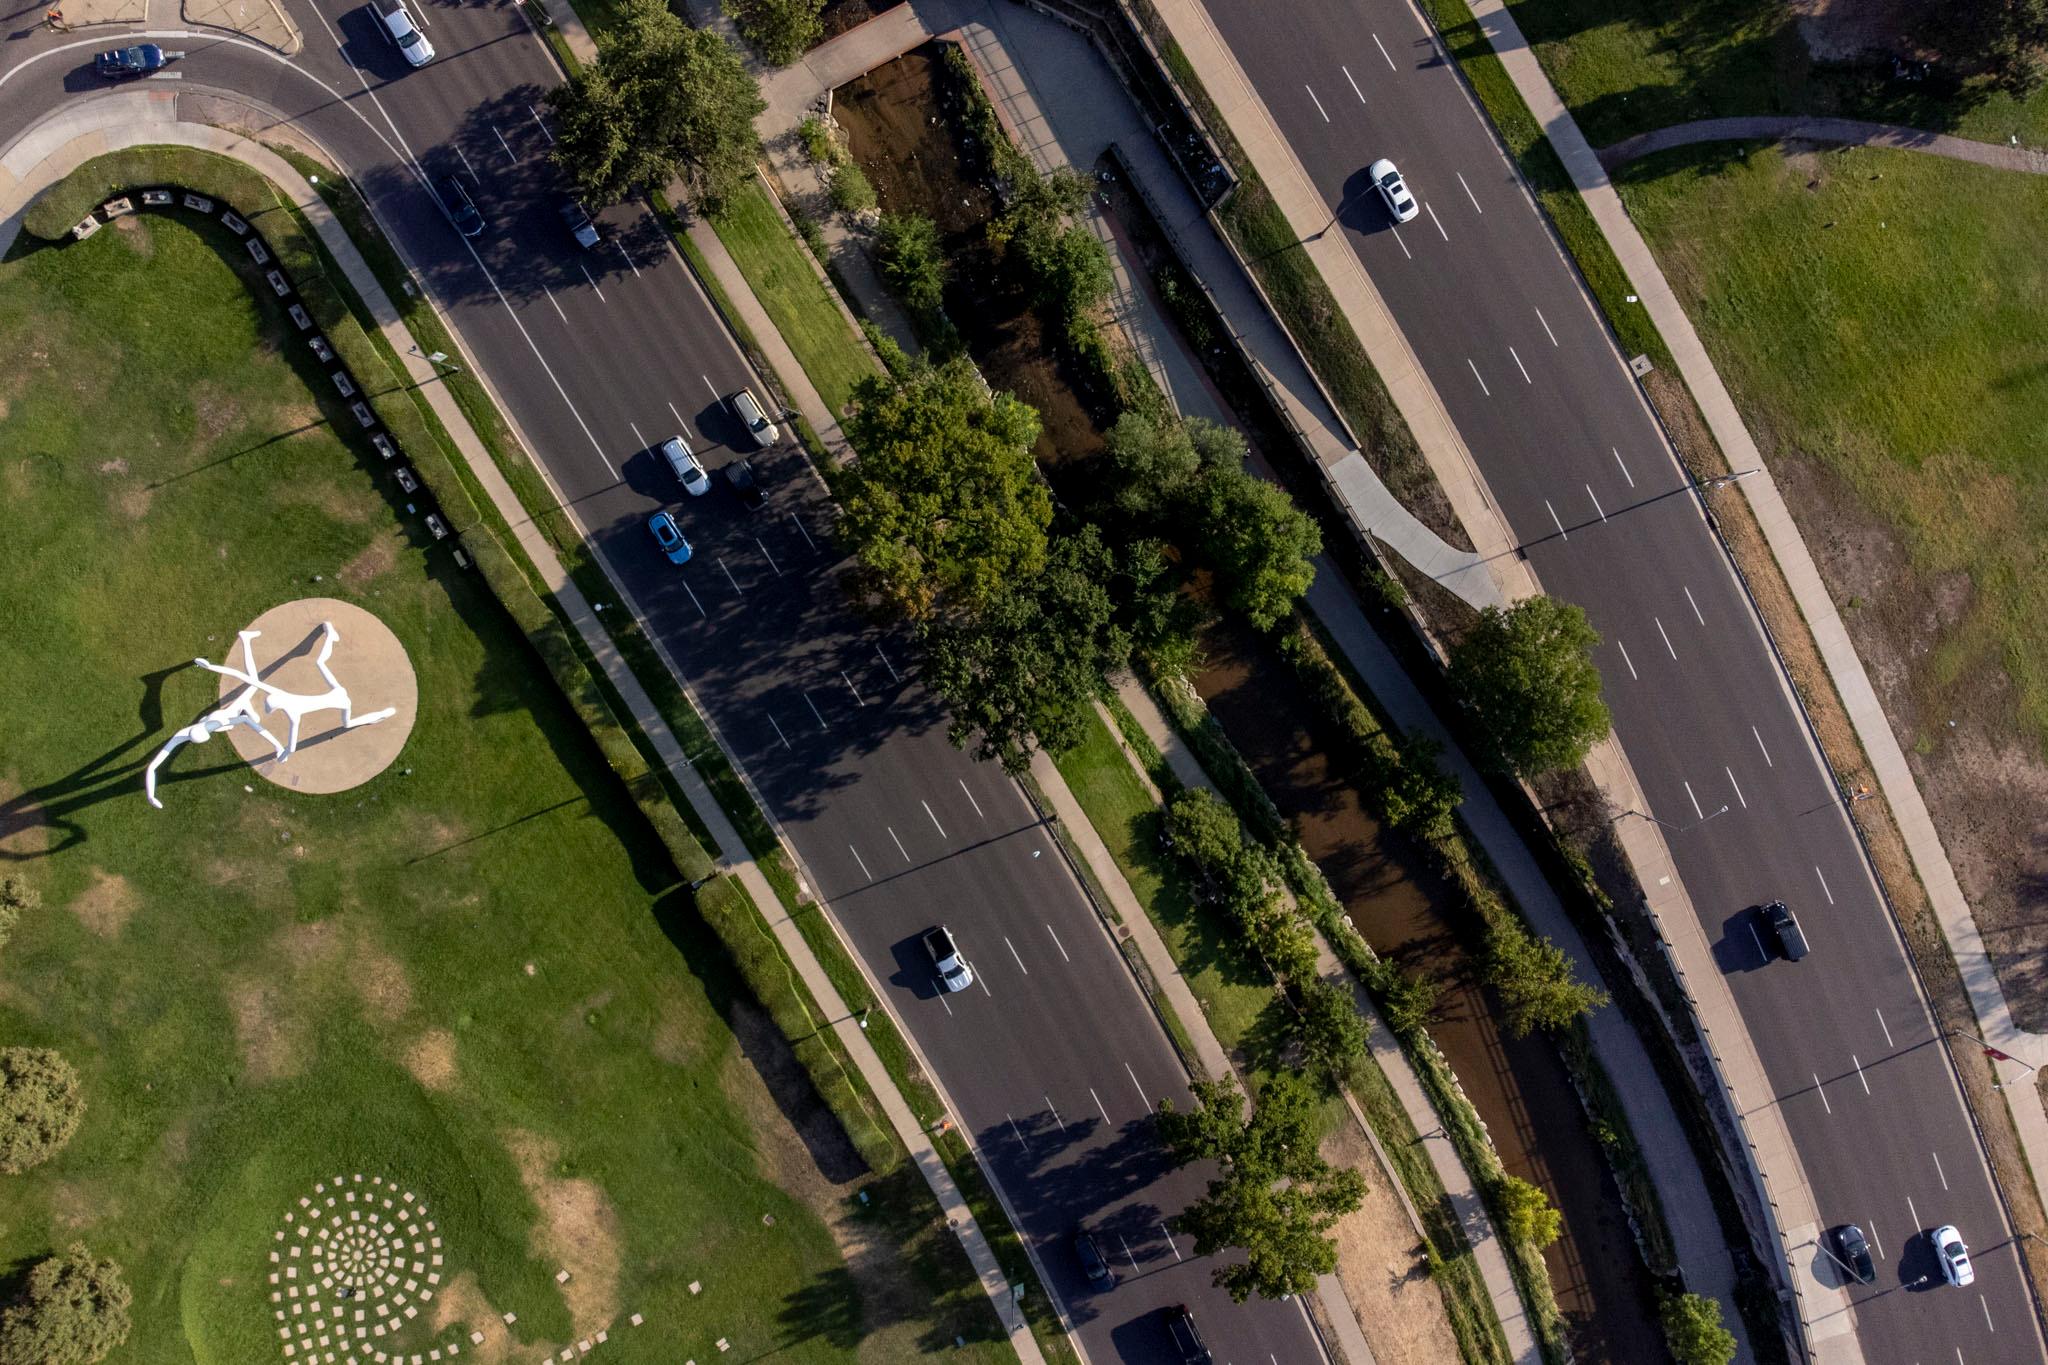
(1891, 331)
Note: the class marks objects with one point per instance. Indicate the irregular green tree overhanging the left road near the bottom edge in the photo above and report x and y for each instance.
(1275, 1196)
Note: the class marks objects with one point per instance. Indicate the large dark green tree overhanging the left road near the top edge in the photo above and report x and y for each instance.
(663, 103)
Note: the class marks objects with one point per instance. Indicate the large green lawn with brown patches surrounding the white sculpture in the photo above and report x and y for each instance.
(476, 977)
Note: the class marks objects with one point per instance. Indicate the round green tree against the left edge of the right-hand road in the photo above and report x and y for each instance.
(1531, 680)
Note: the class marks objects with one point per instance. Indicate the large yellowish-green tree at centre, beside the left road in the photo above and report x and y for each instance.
(945, 507)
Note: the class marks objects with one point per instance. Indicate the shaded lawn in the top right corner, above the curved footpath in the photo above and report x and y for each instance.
(1629, 67)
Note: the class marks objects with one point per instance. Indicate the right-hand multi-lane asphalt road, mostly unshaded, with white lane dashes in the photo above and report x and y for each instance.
(1609, 521)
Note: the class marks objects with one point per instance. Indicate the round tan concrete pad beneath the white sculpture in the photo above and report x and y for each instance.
(368, 662)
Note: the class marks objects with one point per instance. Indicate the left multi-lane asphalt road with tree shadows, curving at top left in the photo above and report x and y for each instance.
(1054, 1061)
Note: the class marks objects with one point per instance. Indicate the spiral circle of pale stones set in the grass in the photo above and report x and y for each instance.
(351, 1270)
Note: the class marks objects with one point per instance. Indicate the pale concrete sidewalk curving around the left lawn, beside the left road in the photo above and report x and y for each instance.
(83, 132)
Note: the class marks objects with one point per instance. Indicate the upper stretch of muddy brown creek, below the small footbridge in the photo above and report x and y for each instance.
(900, 132)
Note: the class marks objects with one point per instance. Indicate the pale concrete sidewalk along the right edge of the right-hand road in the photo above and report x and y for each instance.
(1846, 670)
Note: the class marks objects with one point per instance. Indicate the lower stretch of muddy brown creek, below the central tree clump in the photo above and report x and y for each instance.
(1519, 1088)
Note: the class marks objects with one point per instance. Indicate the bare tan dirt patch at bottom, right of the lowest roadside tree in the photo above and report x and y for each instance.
(1383, 1266)
